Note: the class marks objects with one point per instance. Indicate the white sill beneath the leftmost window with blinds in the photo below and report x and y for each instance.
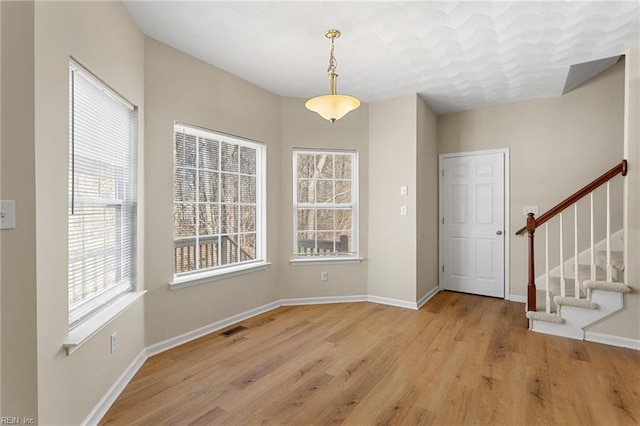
(93, 325)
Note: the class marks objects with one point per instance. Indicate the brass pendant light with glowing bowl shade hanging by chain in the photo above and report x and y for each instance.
(332, 107)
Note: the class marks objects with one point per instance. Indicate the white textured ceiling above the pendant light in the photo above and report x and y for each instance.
(457, 55)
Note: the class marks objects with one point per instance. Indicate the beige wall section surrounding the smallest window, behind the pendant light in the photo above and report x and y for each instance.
(302, 128)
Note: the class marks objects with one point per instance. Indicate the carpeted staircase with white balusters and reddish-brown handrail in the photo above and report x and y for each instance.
(588, 287)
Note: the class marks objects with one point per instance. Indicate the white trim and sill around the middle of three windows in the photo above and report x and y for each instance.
(198, 277)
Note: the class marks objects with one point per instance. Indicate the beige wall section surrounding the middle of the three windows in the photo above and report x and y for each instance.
(181, 88)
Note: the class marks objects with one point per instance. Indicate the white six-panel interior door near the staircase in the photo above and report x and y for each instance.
(472, 226)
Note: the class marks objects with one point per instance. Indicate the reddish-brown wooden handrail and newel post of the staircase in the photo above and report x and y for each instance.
(533, 223)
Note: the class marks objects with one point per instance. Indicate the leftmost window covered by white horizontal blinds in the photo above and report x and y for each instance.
(102, 195)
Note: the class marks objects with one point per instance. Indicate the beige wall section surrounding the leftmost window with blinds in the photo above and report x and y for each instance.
(103, 37)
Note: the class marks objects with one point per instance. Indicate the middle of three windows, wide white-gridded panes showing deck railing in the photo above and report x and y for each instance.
(218, 208)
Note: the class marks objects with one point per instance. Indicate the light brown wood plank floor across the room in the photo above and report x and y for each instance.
(461, 359)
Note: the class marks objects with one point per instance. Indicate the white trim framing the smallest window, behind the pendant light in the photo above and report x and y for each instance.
(330, 258)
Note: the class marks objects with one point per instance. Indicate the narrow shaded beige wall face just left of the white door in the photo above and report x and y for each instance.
(426, 188)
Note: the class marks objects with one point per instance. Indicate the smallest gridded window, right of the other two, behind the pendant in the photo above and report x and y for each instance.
(325, 204)
